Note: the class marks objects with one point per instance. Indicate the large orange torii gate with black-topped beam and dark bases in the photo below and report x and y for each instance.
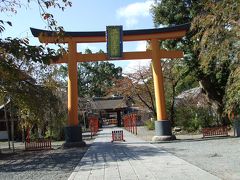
(162, 125)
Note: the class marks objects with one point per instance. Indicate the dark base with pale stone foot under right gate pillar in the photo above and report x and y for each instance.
(163, 131)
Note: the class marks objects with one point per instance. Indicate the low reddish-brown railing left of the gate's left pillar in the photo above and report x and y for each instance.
(38, 144)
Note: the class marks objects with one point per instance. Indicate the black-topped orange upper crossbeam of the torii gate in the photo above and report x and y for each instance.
(172, 32)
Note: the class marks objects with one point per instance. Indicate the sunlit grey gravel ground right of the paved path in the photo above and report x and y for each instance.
(219, 156)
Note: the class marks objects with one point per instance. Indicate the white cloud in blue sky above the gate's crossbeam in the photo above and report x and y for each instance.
(132, 12)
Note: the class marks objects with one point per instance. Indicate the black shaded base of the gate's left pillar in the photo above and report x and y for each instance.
(73, 137)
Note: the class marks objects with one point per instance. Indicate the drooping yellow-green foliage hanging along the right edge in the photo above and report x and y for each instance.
(216, 40)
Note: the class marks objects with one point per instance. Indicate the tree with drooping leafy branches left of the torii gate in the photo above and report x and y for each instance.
(22, 68)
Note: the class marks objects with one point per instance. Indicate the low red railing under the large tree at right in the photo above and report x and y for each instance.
(215, 131)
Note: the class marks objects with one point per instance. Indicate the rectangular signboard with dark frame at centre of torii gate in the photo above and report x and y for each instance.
(114, 42)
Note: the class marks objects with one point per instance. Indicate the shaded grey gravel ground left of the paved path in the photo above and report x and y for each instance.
(56, 164)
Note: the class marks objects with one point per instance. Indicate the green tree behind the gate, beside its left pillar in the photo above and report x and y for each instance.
(95, 78)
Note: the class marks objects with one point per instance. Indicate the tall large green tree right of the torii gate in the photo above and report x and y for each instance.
(211, 44)
